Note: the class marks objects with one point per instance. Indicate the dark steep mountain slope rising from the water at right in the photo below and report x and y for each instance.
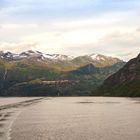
(126, 82)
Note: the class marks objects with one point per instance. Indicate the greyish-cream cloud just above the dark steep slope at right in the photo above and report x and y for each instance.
(125, 45)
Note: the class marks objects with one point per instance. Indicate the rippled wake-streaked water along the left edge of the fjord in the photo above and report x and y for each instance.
(10, 108)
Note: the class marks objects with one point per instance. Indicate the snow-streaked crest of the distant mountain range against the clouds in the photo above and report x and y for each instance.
(38, 54)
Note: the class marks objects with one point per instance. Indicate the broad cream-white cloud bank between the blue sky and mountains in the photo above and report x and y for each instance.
(108, 33)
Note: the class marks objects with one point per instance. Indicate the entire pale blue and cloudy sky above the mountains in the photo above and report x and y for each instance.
(71, 27)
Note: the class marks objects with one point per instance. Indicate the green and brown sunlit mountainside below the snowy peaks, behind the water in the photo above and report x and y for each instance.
(36, 76)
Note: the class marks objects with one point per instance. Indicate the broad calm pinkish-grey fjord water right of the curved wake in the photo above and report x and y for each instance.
(79, 118)
